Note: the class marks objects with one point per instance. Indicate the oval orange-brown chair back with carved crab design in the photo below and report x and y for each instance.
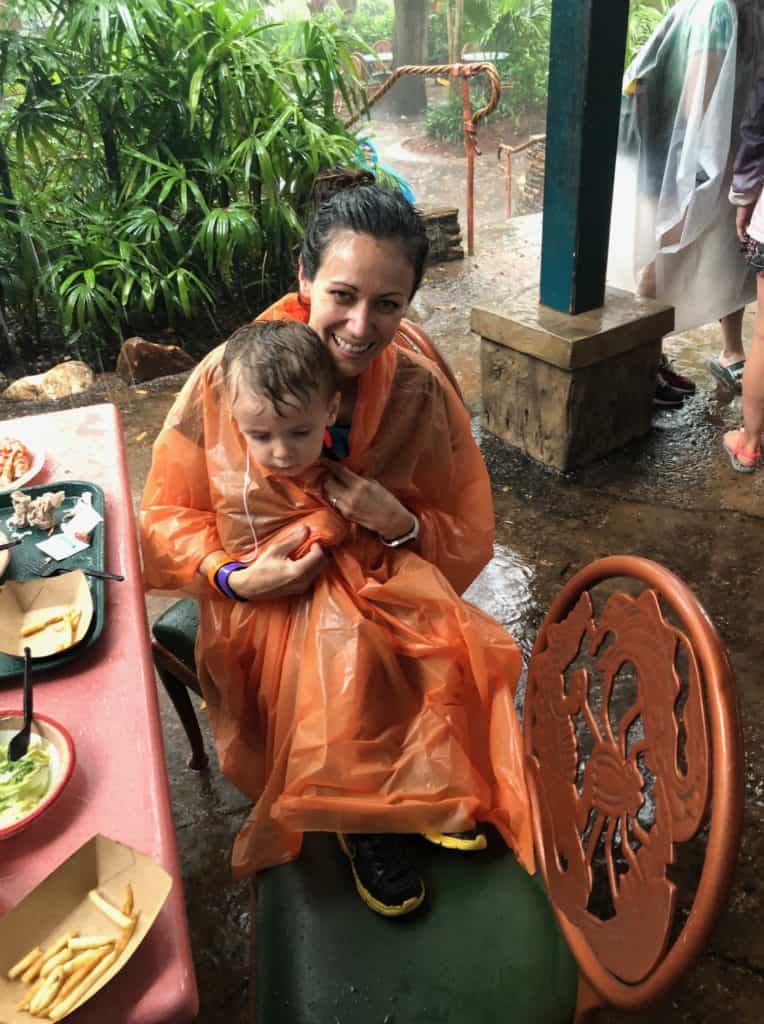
(634, 746)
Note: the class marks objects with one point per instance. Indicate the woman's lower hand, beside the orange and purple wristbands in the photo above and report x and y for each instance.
(276, 575)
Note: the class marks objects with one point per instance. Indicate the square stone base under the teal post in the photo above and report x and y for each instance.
(569, 390)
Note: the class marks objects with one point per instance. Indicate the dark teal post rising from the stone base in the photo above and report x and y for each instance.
(586, 68)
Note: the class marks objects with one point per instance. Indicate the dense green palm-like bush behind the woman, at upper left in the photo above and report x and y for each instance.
(159, 156)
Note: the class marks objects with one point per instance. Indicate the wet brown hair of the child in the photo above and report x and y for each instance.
(283, 361)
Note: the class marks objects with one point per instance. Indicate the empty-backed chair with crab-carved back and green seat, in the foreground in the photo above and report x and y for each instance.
(634, 746)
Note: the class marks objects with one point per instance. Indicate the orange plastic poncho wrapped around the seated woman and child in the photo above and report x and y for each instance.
(380, 702)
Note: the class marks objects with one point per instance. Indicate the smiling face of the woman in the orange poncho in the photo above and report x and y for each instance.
(359, 297)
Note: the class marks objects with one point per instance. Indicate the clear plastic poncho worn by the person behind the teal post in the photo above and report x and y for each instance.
(673, 230)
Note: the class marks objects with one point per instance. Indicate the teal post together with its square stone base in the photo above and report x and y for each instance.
(573, 378)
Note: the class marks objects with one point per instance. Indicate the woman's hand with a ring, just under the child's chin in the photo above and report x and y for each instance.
(366, 502)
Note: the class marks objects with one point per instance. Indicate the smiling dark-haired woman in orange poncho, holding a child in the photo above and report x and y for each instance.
(323, 724)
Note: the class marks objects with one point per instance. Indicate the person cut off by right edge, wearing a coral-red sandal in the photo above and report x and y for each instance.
(743, 446)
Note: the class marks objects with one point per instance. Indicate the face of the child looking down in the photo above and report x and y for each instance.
(289, 444)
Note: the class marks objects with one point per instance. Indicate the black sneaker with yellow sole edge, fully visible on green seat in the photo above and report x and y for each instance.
(387, 881)
